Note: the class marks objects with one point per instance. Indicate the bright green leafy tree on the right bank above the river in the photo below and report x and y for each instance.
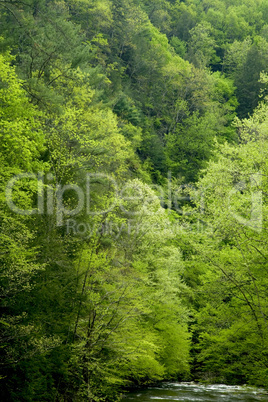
(232, 317)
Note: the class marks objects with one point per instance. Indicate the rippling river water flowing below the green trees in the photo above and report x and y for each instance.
(187, 391)
